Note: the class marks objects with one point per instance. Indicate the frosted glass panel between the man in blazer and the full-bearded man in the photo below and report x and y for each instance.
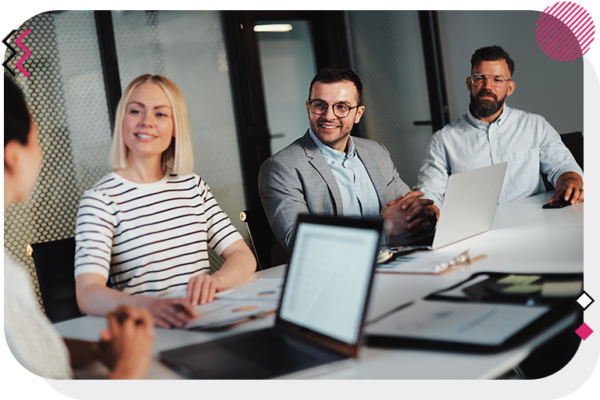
(387, 54)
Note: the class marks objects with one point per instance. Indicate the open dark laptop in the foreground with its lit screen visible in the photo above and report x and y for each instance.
(321, 310)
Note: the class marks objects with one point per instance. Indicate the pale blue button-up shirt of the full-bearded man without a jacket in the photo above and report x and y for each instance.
(527, 141)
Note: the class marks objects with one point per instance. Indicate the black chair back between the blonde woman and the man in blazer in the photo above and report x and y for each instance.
(267, 249)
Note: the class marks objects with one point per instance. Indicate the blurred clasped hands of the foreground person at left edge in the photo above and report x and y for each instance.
(126, 345)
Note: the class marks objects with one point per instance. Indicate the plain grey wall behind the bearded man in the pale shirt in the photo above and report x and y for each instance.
(551, 88)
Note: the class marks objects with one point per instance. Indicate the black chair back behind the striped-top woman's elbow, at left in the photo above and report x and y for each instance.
(54, 263)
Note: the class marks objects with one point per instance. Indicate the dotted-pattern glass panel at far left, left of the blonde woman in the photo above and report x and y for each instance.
(65, 93)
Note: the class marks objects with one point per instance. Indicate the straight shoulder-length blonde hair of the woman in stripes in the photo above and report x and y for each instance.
(179, 157)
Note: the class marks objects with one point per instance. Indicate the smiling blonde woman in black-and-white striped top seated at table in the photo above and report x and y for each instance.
(146, 227)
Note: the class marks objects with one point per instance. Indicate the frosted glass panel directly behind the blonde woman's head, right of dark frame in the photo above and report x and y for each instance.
(188, 47)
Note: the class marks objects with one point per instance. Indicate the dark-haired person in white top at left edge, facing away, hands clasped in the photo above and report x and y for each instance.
(125, 346)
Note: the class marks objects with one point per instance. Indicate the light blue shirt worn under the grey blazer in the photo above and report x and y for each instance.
(359, 197)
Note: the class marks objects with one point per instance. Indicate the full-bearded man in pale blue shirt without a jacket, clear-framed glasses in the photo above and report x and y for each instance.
(491, 132)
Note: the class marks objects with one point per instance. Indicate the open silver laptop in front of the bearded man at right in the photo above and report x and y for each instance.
(468, 210)
